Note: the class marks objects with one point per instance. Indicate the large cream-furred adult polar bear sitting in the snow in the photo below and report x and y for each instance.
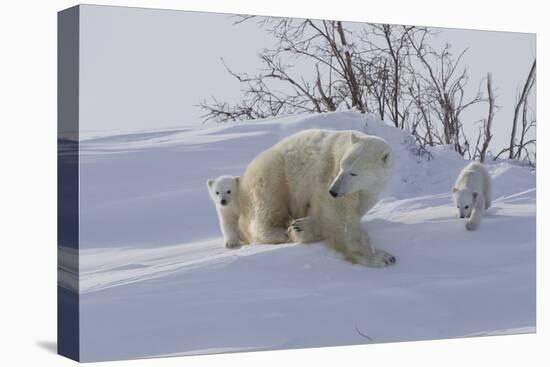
(316, 185)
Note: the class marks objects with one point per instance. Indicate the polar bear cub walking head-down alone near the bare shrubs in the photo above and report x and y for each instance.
(472, 194)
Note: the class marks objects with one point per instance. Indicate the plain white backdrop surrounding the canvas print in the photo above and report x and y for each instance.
(28, 181)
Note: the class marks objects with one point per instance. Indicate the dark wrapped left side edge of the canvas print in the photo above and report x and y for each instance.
(67, 195)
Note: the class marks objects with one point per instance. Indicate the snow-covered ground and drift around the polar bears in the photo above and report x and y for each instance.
(155, 278)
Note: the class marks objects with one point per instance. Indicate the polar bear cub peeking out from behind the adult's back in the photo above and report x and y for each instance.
(224, 193)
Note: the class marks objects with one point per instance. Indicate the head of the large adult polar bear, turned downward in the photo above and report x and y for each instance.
(367, 162)
